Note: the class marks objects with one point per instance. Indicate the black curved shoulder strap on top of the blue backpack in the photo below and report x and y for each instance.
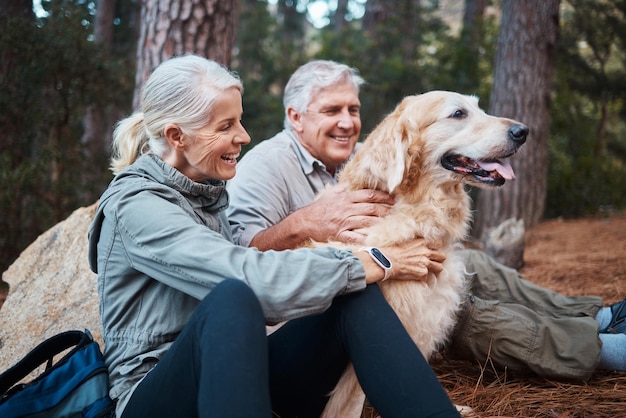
(44, 353)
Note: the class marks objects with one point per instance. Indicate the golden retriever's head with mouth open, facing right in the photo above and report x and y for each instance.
(444, 136)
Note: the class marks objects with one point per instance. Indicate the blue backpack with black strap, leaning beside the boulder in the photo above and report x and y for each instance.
(76, 386)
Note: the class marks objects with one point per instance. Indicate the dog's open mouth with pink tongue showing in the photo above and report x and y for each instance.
(489, 172)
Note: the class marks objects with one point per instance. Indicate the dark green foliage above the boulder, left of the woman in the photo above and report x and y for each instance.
(51, 71)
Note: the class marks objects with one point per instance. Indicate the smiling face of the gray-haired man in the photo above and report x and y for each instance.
(329, 128)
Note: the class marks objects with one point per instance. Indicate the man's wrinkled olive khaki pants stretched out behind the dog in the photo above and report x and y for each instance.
(524, 327)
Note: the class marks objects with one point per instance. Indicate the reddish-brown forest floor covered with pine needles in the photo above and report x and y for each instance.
(574, 257)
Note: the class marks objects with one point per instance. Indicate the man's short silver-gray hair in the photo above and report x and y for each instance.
(312, 77)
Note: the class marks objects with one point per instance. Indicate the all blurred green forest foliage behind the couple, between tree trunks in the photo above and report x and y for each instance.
(51, 71)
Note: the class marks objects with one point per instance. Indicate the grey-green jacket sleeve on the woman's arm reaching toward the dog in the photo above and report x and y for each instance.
(162, 240)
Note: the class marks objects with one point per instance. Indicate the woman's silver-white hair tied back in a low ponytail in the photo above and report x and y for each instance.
(181, 91)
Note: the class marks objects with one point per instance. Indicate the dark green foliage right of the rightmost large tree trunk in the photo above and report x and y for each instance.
(587, 158)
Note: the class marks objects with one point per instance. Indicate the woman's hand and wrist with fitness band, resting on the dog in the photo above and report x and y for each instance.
(410, 260)
